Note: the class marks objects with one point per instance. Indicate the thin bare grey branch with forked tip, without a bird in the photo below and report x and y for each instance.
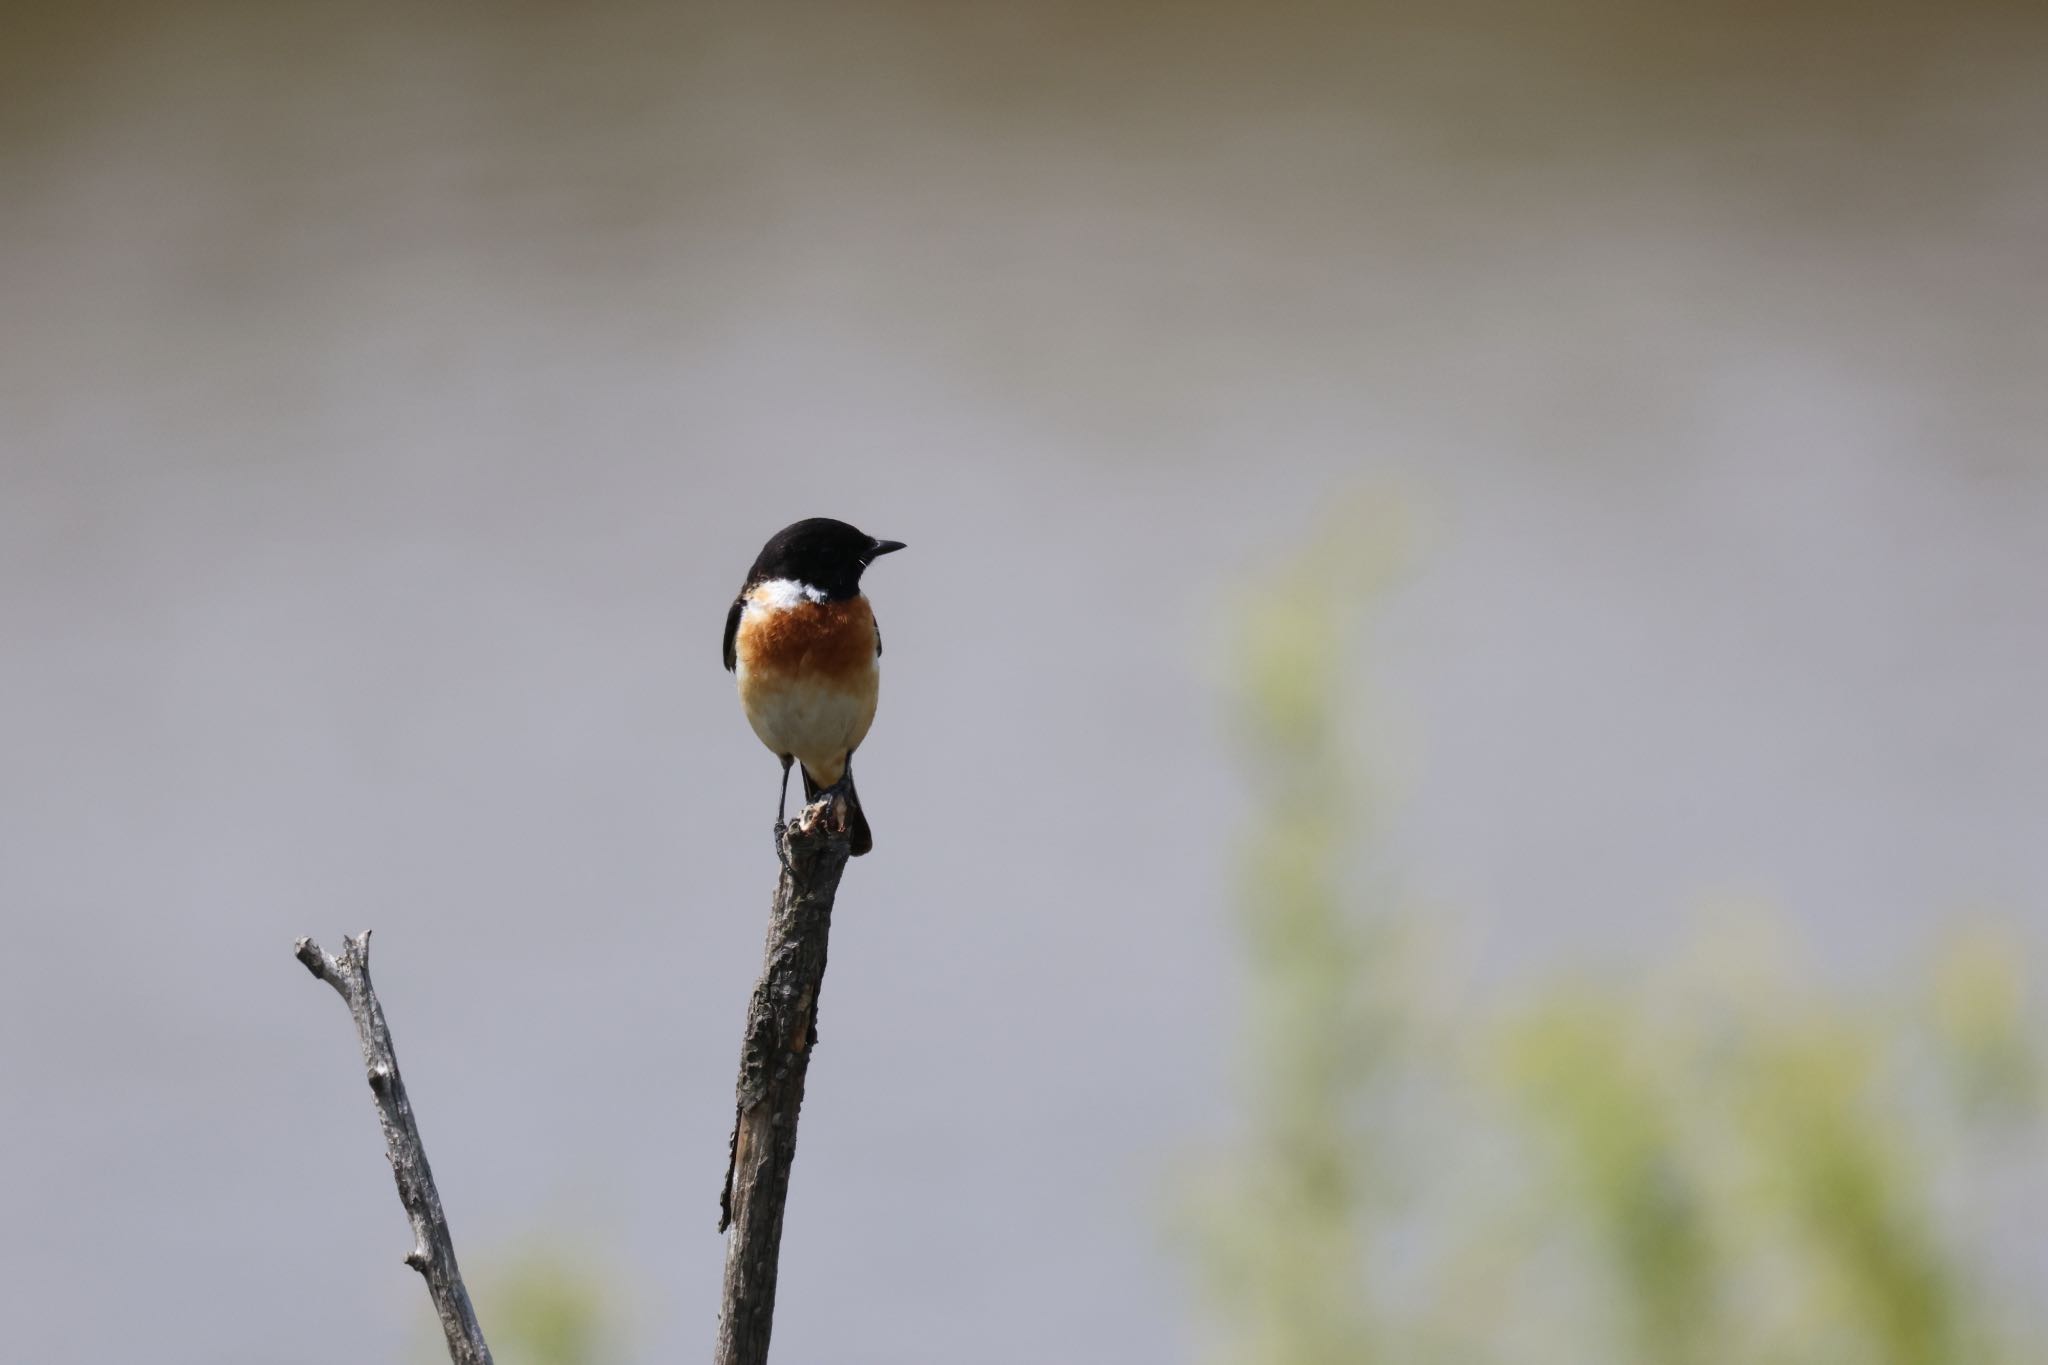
(433, 1249)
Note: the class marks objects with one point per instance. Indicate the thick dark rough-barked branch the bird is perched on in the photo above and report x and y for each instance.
(779, 1041)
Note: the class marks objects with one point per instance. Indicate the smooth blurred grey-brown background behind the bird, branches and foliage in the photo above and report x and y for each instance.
(394, 396)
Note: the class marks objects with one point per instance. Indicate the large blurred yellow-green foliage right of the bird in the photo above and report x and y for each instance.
(1717, 1161)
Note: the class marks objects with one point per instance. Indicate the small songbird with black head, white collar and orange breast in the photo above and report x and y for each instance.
(806, 648)
